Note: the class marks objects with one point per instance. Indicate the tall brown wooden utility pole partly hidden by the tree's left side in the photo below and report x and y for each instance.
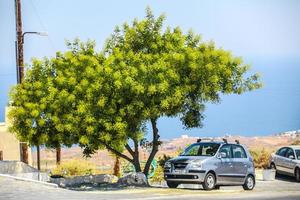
(20, 66)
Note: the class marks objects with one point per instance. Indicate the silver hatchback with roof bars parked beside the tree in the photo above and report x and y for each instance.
(212, 164)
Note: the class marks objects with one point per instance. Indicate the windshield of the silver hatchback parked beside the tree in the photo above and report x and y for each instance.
(201, 149)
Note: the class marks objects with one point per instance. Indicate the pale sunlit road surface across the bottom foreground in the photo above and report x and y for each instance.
(281, 188)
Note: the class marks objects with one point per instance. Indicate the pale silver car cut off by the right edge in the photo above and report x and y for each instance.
(287, 161)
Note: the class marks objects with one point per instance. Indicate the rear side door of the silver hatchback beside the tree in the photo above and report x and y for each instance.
(240, 166)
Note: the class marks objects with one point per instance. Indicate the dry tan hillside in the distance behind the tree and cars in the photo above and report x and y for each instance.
(104, 159)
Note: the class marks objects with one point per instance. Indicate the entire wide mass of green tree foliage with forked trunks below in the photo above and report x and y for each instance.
(146, 71)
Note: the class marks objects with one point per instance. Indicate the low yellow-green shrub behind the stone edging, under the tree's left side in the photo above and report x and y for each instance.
(74, 168)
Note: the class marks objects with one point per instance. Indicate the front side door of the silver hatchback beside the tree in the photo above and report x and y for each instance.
(225, 165)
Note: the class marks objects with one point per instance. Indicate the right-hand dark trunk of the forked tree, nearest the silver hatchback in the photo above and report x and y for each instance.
(154, 147)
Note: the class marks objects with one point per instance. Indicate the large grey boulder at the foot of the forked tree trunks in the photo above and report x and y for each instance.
(134, 179)
